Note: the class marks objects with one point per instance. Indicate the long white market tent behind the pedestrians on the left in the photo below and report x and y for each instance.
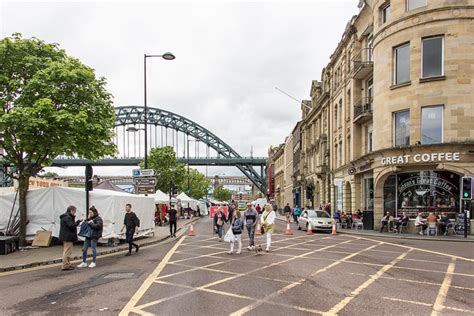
(46, 205)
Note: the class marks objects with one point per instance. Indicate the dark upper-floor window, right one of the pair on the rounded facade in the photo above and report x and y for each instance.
(432, 53)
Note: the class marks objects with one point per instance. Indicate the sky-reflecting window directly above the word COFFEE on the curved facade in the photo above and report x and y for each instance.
(432, 124)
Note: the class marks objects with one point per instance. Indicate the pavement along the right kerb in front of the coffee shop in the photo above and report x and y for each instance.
(374, 233)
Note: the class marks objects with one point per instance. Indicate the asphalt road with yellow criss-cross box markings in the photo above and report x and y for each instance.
(302, 275)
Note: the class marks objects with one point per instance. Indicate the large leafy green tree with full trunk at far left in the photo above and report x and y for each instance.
(50, 105)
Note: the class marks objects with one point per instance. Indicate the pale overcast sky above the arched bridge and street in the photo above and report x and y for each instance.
(230, 56)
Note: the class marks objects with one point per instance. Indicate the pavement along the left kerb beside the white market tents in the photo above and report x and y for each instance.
(51, 255)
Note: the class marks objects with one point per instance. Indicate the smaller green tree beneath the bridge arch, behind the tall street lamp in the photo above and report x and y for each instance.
(163, 160)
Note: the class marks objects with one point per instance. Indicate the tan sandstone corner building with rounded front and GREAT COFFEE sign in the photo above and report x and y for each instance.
(401, 110)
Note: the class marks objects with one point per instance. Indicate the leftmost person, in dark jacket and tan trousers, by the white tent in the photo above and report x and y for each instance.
(68, 235)
